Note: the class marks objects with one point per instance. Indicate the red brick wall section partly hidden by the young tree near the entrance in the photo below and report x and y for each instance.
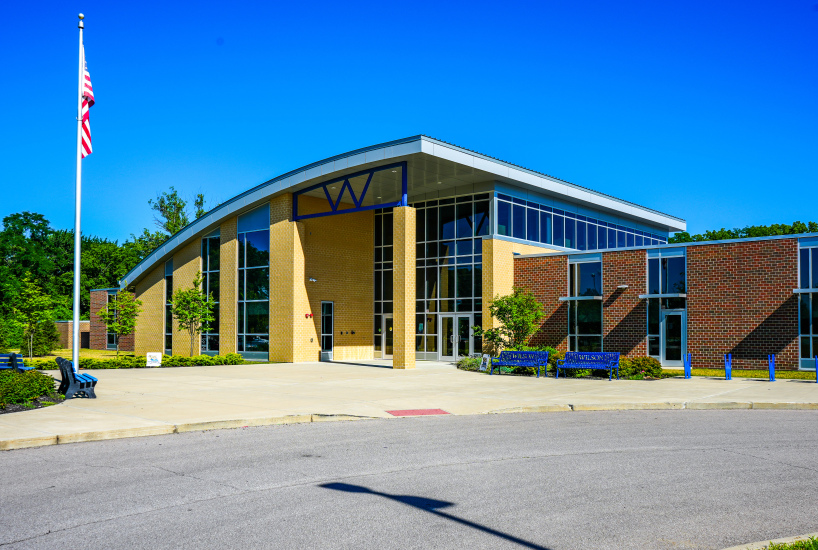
(547, 278)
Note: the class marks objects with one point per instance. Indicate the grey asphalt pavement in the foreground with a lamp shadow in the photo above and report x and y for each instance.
(629, 479)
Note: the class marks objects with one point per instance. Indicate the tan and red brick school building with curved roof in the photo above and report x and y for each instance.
(394, 251)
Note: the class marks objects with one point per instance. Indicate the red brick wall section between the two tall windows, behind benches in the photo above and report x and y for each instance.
(624, 315)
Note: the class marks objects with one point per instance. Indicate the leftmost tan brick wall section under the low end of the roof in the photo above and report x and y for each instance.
(150, 325)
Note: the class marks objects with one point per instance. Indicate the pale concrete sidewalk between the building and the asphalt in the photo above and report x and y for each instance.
(134, 402)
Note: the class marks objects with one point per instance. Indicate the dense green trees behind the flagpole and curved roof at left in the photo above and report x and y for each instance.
(37, 268)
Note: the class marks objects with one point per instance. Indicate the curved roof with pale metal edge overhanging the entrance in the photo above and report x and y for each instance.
(470, 167)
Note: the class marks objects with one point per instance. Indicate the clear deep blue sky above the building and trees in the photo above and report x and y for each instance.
(704, 110)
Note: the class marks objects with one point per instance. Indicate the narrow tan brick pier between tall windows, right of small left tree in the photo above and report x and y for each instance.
(228, 290)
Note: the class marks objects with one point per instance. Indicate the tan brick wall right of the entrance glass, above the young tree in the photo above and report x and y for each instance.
(498, 270)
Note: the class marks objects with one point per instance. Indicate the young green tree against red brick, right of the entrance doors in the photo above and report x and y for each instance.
(519, 314)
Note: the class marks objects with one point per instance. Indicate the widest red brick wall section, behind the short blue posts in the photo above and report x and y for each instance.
(740, 301)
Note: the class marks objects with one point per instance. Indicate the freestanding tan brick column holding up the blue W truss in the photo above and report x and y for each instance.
(403, 279)
